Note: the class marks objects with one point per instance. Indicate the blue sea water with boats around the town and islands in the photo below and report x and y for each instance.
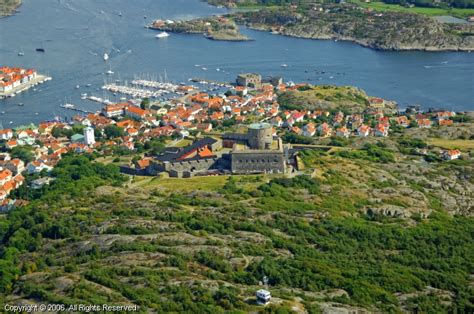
(75, 35)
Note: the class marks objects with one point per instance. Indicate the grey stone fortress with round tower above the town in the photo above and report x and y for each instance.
(257, 151)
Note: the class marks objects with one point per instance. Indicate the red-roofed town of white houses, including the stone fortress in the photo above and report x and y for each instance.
(244, 130)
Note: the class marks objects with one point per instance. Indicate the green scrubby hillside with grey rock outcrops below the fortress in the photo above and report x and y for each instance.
(360, 232)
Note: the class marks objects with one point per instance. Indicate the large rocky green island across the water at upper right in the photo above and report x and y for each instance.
(388, 30)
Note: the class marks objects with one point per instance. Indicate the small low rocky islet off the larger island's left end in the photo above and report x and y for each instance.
(215, 28)
